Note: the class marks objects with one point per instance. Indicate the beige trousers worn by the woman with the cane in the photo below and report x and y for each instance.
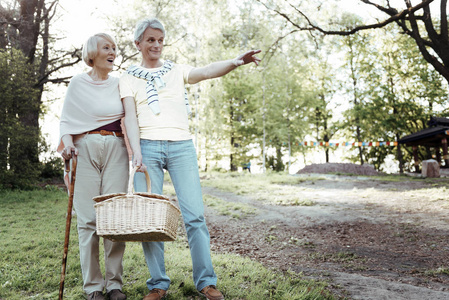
(102, 168)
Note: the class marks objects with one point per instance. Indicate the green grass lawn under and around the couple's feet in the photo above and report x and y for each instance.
(32, 225)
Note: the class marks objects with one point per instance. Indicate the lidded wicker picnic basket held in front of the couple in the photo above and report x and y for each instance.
(136, 217)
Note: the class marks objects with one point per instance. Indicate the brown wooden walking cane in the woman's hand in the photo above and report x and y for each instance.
(68, 221)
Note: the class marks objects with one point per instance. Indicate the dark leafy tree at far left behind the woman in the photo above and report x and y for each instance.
(27, 65)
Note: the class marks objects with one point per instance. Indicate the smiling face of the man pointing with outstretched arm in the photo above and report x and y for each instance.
(151, 44)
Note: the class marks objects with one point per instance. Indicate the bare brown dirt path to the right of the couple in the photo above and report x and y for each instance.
(370, 239)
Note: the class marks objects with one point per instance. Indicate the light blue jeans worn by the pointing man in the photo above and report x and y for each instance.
(179, 159)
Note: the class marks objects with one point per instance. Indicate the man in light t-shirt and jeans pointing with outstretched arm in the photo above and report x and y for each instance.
(156, 118)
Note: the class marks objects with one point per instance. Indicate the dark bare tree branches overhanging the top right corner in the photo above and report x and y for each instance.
(429, 32)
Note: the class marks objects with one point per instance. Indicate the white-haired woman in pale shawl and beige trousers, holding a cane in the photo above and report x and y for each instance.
(90, 128)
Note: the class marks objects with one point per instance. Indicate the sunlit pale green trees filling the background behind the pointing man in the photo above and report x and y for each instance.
(372, 86)
